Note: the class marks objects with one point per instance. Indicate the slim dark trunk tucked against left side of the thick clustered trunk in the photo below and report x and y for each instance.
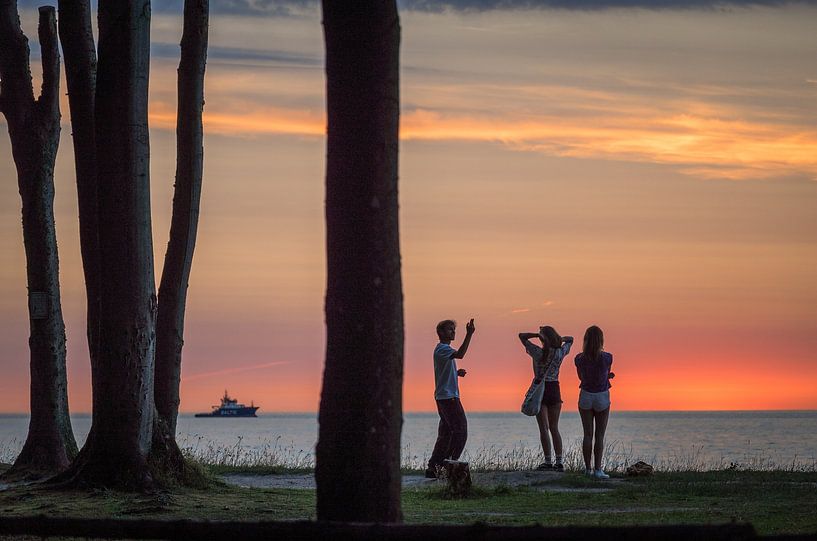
(80, 73)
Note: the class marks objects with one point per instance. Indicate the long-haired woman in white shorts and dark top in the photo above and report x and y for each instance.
(593, 366)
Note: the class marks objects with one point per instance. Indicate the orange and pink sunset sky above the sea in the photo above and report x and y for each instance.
(651, 171)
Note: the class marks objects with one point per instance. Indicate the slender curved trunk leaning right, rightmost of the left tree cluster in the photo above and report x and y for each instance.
(185, 218)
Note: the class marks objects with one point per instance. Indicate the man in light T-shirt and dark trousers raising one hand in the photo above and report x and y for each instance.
(452, 431)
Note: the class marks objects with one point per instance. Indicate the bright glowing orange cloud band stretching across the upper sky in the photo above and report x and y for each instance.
(703, 142)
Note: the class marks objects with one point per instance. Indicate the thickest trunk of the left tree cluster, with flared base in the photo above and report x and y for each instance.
(115, 453)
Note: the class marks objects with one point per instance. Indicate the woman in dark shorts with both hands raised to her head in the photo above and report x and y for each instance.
(546, 363)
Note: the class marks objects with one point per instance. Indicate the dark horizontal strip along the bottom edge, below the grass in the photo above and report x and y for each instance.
(43, 526)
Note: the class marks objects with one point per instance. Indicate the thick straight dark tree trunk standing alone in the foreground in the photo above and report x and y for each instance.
(361, 401)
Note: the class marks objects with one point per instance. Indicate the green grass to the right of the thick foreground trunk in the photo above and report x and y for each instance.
(775, 503)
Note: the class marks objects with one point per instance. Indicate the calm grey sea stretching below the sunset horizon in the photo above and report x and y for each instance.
(672, 441)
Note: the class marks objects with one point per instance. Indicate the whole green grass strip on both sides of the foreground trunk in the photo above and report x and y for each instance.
(774, 502)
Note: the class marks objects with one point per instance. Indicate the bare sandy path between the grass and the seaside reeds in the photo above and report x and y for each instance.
(546, 481)
